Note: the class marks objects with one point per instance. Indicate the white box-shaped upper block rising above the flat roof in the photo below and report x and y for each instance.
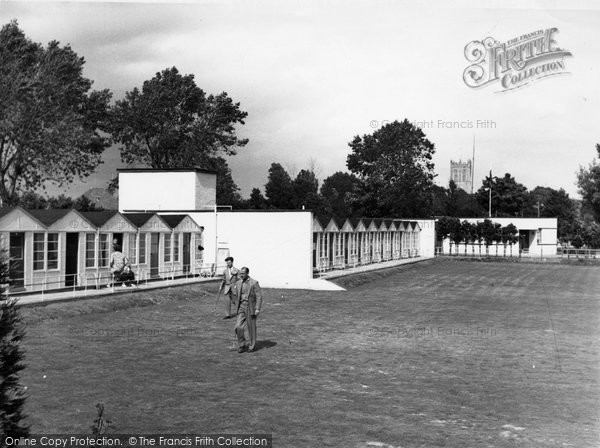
(164, 190)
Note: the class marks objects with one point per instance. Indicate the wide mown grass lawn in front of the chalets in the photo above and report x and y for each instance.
(443, 353)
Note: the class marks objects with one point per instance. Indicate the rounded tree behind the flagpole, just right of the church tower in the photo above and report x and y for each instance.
(508, 196)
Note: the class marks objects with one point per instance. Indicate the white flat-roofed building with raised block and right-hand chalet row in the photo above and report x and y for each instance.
(278, 246)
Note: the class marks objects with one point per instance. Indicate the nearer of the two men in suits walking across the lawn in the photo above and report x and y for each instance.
(249, 299)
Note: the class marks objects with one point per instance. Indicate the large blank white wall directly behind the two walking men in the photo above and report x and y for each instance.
(275, 246)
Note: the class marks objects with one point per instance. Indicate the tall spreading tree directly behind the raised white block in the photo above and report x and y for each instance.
(172, 123)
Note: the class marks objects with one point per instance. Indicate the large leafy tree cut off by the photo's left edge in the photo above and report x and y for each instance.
(51, 122)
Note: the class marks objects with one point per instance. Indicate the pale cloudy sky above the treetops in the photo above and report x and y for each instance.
(314, 74)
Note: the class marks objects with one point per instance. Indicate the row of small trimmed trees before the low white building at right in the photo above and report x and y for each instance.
(483, 232)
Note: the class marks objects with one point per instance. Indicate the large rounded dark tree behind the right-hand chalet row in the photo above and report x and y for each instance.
(396, 169)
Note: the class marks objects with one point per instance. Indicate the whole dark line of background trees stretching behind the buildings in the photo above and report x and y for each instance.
(54, 128)
